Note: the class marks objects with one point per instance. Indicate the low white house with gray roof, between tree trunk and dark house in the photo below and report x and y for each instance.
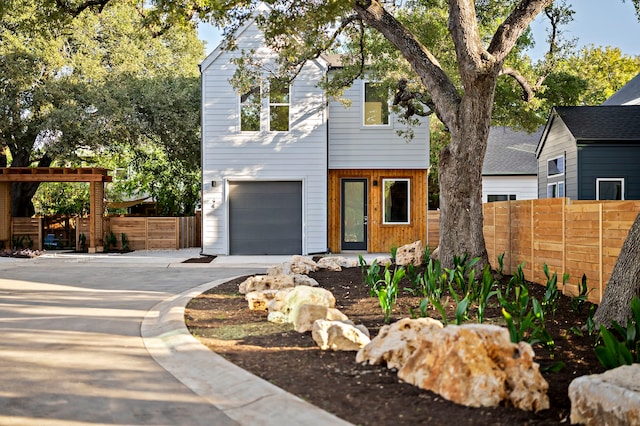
(510, 169)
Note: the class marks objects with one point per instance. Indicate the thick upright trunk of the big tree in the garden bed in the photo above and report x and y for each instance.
(460, 176)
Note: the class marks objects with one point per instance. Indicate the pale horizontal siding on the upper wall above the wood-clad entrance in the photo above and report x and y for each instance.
(355, 146)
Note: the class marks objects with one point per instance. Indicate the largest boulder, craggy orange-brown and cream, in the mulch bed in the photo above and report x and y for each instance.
(477, 365)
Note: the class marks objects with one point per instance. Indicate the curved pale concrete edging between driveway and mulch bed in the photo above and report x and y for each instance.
(241, 395)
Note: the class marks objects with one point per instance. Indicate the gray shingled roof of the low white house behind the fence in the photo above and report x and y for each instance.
(511, 152)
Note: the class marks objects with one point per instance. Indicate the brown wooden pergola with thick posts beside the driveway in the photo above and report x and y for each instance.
(95, 176)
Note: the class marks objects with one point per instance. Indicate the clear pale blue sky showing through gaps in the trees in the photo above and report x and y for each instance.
(595, 22)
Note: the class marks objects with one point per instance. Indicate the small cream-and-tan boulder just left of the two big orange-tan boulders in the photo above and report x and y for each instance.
(338, 335)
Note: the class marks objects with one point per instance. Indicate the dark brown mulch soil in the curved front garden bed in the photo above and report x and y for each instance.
(373, 395)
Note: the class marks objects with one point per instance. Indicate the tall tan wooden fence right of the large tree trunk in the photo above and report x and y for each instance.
(576, 237)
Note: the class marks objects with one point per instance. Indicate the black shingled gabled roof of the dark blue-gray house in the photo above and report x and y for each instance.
(596, 123)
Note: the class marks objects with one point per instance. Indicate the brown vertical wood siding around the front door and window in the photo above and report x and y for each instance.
(381, 238)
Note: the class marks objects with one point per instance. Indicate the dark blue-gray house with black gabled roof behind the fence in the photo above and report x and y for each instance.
(590, 153)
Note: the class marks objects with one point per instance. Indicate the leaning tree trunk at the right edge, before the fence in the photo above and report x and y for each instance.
(624, 282)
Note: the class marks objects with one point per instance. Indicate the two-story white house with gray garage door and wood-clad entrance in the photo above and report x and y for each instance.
(287, 171)
